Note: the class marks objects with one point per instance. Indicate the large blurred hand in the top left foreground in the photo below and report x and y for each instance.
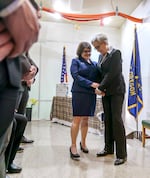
(24, 28)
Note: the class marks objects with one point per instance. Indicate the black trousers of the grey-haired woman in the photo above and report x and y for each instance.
(114, 126)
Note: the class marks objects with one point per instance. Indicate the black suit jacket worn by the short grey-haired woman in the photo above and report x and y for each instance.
(112, 81)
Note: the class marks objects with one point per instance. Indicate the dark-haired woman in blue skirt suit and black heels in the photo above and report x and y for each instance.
(84, 73)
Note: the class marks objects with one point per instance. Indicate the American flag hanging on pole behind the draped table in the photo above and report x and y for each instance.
(64, 76)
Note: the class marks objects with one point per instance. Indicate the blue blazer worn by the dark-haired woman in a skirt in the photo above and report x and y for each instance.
(84, 74)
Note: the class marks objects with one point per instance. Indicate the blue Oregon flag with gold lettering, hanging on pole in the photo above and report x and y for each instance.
(135, 99)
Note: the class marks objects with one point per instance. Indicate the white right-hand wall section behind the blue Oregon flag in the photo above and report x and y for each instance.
(143, 31)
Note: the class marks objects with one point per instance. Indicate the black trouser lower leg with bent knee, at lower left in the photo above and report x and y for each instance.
(19, 124)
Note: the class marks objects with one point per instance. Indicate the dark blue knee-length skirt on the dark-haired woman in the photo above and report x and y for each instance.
(83, 104)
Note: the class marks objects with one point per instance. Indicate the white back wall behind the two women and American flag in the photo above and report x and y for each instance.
(47, 53)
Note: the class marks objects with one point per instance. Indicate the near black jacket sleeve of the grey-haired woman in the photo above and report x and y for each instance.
(113, 68)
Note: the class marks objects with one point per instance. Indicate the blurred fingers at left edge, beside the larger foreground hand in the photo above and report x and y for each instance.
(6, 44)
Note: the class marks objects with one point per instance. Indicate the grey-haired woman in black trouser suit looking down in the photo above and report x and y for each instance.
(112, 86)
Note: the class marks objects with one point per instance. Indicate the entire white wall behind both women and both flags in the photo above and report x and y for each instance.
(48, 55)
